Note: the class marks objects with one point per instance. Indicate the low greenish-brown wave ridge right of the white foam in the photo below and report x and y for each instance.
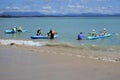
(85, 46)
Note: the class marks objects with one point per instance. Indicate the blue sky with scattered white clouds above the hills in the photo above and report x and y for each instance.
(61, 6)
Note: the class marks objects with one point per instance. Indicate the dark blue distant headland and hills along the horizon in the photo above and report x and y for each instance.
(38, 14)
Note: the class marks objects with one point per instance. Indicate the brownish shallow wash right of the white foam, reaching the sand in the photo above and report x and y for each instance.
(96, 52)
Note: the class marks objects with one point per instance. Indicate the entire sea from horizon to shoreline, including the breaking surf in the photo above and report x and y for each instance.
(67, 28)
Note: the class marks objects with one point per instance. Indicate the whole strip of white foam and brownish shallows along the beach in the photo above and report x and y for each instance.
(105, 53)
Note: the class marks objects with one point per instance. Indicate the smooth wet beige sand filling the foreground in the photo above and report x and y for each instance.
(45, 63)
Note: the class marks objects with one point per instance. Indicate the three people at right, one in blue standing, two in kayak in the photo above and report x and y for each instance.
(93, 33)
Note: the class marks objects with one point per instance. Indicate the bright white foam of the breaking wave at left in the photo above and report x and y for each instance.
(20, 42)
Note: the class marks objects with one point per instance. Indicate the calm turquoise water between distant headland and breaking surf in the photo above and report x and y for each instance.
(67, 28)
